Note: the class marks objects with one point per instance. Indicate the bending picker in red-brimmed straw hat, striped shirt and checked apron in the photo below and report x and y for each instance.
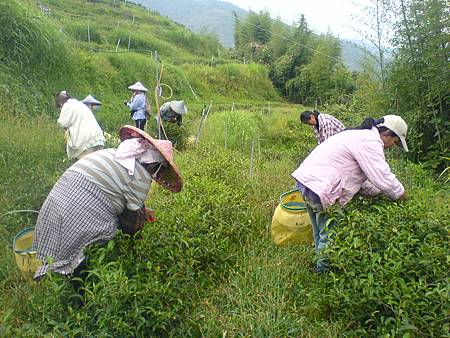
(100, 193)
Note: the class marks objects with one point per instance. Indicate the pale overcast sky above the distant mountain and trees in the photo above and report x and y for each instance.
(320, 15)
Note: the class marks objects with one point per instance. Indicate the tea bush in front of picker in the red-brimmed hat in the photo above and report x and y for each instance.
(148, 285)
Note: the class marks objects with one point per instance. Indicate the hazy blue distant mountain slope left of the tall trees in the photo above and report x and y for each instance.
(211, 16)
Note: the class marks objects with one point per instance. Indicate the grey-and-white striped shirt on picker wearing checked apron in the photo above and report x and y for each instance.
(112, 178)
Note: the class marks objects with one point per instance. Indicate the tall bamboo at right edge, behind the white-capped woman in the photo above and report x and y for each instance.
(419, 78)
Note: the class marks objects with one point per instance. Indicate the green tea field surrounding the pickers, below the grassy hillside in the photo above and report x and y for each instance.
(207, 267)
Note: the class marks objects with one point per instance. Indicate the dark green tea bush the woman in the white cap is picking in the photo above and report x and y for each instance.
(391, 262)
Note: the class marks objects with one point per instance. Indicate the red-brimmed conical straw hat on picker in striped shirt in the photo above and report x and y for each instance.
(168, 176)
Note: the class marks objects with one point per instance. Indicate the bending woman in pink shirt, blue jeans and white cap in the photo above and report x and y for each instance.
(348, 162)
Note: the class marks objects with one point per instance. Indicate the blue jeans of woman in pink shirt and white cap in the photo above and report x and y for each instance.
(321, 227)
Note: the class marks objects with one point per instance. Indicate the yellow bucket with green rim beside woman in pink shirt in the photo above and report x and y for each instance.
(290, 222)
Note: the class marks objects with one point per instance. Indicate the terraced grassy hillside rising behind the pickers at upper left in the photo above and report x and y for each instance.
(54, 54)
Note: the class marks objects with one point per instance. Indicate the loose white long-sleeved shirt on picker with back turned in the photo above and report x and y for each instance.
(83, 129)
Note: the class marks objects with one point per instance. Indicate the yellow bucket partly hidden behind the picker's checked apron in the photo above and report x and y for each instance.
(25, 257)
